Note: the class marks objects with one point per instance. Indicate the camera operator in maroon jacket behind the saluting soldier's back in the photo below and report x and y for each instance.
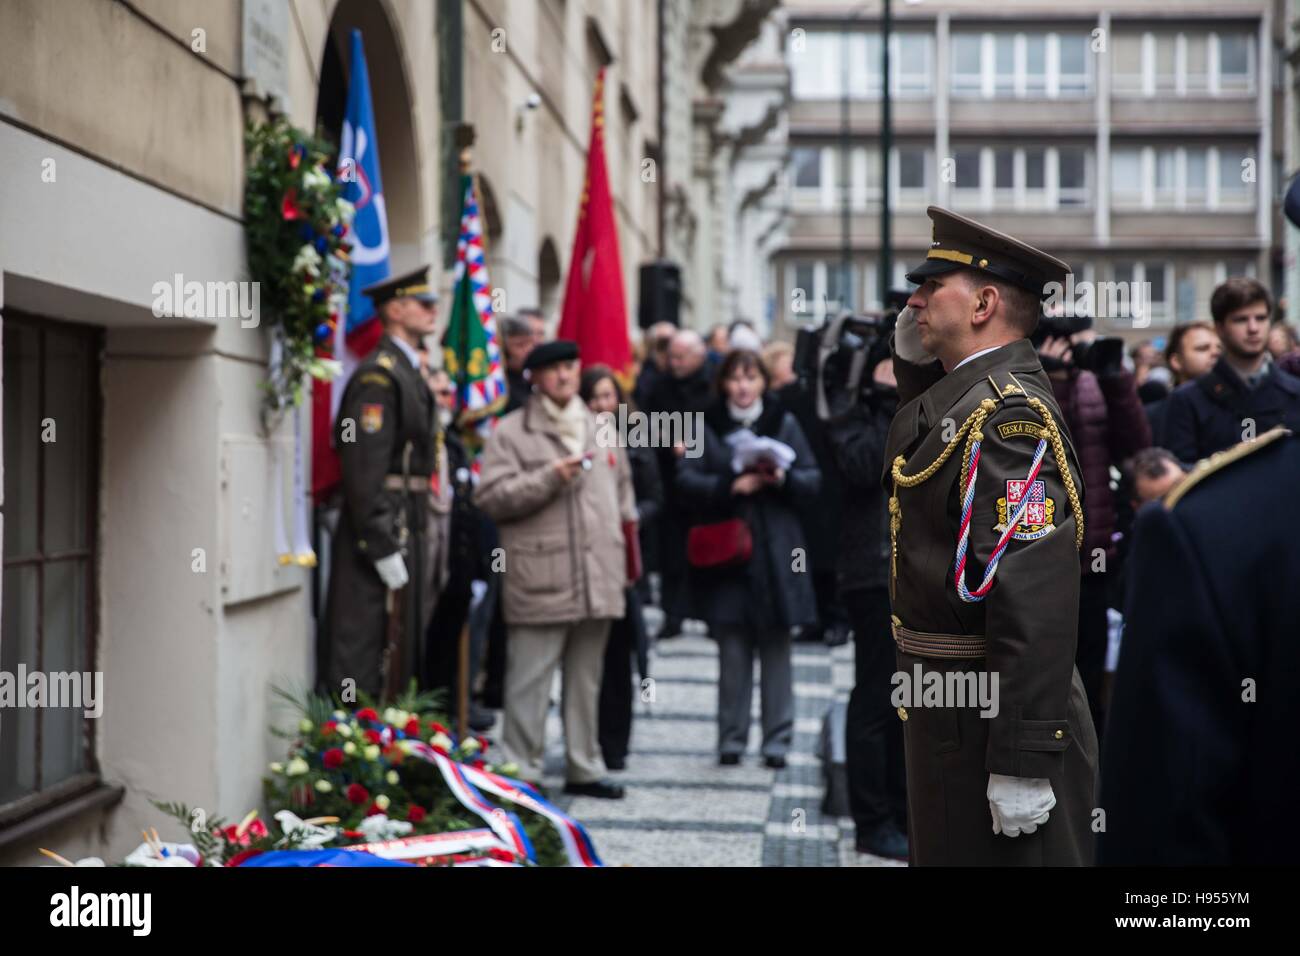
(1108, 426)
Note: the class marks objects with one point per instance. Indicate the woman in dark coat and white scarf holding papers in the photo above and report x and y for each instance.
(753, 607)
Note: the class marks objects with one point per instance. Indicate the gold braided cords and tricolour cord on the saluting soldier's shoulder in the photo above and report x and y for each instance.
(972, 432)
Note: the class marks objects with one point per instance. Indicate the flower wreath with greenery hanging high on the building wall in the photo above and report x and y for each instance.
(296, 224)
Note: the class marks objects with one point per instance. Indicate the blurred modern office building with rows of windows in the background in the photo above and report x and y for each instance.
(1139, 141)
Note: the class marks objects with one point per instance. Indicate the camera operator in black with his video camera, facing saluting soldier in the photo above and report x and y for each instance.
(857, 397)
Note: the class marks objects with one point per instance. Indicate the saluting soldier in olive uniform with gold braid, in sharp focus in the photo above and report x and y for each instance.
(987, 522)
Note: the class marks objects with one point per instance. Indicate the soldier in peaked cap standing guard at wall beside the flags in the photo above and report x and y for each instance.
(389, 444)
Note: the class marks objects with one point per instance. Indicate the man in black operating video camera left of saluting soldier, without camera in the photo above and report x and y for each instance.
(878, 793)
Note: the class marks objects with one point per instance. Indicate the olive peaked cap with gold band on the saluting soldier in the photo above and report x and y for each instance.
(964, 244)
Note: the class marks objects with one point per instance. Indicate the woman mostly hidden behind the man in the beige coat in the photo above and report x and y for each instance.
(603, 393)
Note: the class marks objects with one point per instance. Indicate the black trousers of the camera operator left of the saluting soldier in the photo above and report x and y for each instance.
(878, 786)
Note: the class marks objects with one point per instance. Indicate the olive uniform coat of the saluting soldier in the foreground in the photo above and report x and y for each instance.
(1029, 620)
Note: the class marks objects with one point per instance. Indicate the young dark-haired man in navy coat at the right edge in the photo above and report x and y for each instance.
(1246, 393)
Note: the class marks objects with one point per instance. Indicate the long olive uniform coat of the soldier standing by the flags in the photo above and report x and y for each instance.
(385, 408)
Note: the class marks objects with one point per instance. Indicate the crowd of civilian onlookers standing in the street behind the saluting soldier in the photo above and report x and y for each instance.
(788, 546)
